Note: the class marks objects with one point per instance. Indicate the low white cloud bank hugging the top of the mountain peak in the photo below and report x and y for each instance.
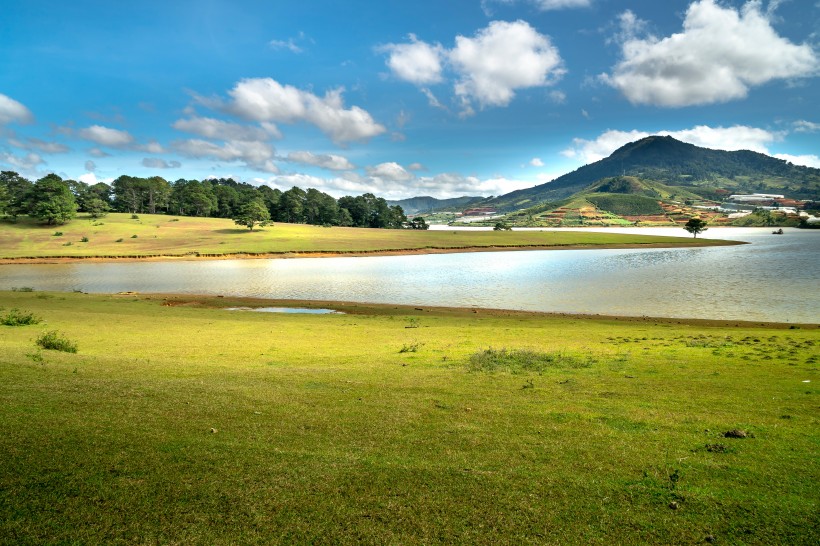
(738, 137)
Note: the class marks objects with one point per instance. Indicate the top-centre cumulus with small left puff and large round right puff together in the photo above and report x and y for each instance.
(488, 67)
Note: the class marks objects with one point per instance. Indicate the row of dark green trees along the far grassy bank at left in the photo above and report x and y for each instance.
(55, 201)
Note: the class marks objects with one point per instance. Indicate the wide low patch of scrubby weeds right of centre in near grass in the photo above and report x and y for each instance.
(525, 360)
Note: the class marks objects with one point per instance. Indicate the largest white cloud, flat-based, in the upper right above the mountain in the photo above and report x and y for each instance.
(718, 56)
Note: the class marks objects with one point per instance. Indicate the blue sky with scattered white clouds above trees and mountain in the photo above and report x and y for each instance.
(396, 98)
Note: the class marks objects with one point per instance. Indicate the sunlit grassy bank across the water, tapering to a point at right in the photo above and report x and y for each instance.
(118, 235)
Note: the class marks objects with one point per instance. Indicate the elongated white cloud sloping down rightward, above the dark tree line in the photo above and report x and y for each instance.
(265, 99)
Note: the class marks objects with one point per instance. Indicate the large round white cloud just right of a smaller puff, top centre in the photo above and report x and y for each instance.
(501, 59)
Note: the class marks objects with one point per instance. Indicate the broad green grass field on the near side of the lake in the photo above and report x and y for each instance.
(180, 422)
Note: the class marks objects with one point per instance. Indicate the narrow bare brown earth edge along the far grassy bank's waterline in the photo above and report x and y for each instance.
(197, 256)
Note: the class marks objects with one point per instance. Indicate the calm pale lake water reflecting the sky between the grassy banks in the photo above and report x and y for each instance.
(776, 278)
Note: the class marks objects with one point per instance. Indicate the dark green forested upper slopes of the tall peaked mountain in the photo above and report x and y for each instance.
(676, 163)
